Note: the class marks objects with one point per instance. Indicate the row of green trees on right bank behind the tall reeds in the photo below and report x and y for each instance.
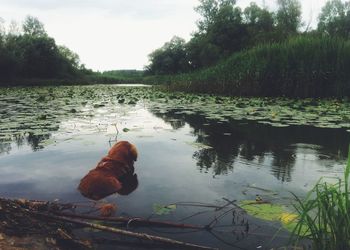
(225, 29)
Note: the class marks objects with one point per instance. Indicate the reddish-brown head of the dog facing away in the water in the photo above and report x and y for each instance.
(123, 151)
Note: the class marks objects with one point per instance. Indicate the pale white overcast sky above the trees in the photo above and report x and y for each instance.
(119, 34)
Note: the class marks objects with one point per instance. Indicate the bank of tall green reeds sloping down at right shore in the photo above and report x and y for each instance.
(300, 67)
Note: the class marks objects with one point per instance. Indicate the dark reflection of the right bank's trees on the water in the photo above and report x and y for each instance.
(250, 142)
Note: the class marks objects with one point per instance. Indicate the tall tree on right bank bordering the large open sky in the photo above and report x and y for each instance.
(221, 32)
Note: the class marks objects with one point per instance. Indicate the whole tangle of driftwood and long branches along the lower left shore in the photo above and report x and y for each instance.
(52, 219)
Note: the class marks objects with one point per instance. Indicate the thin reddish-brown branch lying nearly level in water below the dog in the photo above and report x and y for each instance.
(129, 221)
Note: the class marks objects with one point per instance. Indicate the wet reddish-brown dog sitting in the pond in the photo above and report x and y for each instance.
(113, 174)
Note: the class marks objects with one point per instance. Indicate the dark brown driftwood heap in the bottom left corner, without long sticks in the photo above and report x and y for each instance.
(17, 222)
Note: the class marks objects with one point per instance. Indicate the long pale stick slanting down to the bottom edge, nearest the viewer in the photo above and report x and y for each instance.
(142, 236)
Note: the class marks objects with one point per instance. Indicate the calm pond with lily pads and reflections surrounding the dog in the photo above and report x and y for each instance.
(193, 149)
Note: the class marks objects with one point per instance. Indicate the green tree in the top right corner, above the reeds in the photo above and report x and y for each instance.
(334, 19)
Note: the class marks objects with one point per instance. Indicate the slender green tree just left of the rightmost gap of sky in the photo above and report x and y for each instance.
(288, 16)
